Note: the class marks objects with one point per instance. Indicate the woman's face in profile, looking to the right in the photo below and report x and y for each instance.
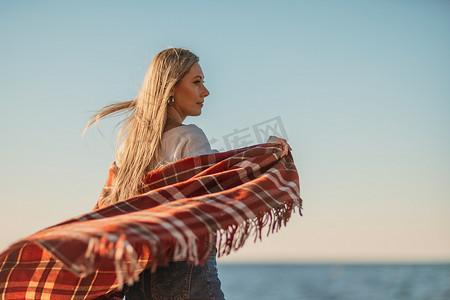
(189, 93)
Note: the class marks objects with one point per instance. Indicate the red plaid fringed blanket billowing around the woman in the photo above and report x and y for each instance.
(182, 206)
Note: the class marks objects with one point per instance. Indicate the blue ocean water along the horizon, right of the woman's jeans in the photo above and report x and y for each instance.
(335, 282)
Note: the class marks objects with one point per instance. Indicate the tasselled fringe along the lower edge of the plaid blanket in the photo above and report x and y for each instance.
(230, 238)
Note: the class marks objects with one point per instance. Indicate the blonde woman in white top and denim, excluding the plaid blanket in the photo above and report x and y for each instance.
(153, 135)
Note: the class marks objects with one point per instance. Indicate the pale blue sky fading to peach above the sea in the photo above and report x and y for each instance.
(361, 89)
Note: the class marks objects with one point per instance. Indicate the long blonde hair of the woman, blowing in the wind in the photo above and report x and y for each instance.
(140, 135)
